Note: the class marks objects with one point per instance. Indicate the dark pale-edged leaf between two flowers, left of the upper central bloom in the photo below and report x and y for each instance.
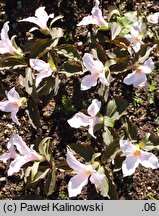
(70, 68)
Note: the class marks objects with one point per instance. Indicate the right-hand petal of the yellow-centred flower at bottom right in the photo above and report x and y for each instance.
(149, 160)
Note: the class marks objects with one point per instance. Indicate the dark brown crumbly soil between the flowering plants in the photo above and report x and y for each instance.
(144, 184)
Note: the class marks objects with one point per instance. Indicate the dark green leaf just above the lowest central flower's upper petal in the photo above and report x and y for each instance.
(86, 151)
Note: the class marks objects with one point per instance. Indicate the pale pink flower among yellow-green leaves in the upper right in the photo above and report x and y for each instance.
(135, 36)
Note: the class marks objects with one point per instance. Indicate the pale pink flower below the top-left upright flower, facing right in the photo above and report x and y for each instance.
(42, 67)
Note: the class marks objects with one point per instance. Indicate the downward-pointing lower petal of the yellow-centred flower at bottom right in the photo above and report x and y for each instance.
(129, 165)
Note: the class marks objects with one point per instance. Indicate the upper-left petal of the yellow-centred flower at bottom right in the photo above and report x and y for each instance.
(127, 147)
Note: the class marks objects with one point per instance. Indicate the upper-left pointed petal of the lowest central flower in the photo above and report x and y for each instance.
(73, 162)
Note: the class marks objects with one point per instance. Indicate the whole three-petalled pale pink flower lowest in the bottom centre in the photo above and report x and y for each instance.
(84, 172)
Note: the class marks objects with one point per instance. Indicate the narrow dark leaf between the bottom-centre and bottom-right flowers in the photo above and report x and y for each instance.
(110, 150)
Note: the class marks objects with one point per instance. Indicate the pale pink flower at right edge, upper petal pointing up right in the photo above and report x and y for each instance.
(138, 77)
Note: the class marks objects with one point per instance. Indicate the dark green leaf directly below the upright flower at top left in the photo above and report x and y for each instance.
(40, 47)
